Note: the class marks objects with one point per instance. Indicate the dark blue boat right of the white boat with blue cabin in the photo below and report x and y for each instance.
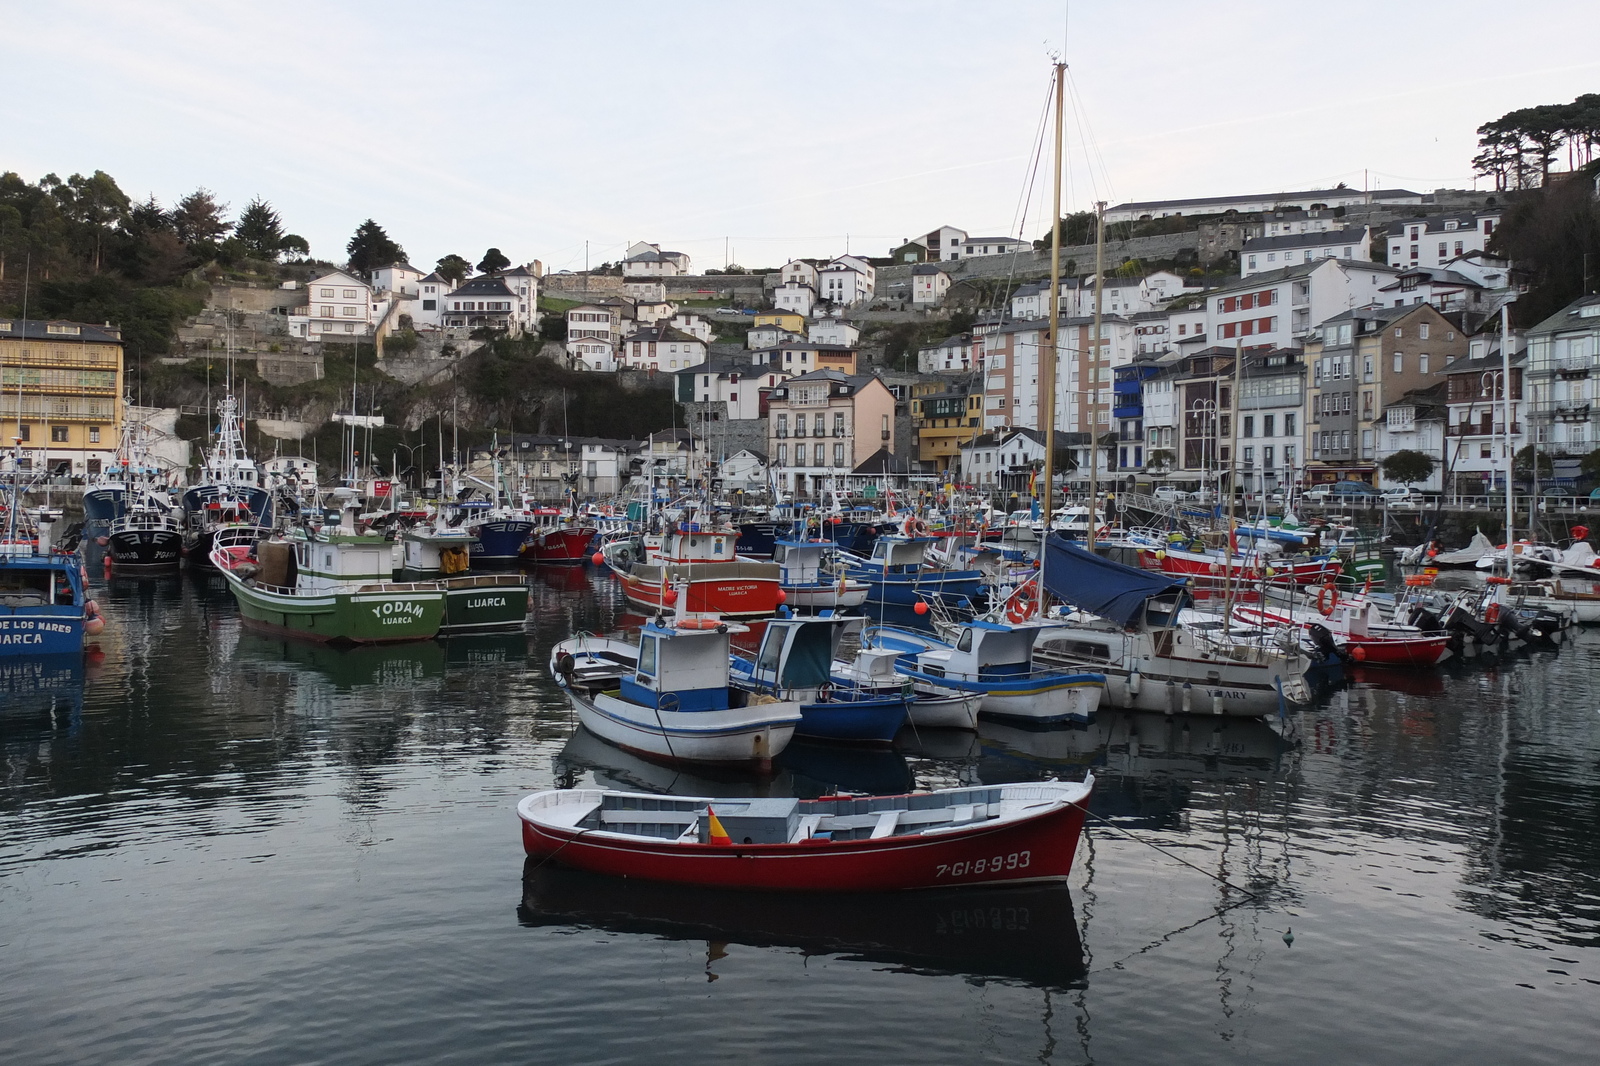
(796, 665)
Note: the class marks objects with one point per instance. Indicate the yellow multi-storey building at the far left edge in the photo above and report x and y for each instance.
(62, 395)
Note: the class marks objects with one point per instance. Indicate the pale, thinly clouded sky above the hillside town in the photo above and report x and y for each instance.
(750, 130)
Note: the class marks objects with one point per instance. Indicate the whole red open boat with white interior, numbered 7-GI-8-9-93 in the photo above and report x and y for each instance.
(951, 838)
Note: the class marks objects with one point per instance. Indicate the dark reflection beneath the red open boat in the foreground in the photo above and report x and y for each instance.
(1023, 934)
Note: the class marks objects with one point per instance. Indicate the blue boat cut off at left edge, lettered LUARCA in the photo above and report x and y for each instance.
(44, 601)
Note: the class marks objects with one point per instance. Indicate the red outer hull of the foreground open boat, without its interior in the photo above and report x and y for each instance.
(1017, 852)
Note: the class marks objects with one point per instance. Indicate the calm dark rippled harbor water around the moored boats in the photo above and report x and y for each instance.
(218, 848)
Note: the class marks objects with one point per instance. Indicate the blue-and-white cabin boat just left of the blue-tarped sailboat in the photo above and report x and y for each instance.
(996, 660)
